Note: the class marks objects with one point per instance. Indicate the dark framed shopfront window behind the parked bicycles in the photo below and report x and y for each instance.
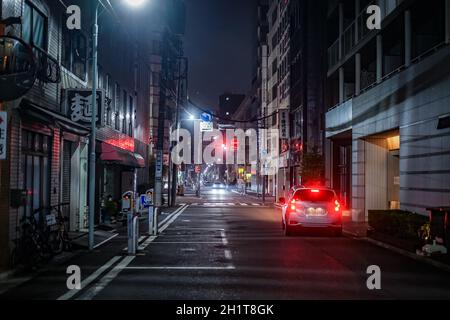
(36, 170)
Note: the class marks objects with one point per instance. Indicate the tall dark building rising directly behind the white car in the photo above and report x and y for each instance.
(307, 87)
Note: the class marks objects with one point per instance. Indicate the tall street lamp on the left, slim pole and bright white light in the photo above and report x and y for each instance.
(92, 158)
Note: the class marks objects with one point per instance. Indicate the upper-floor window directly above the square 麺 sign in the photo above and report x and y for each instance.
(74, 52)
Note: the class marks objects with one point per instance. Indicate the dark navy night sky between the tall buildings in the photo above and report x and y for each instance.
(219, 41)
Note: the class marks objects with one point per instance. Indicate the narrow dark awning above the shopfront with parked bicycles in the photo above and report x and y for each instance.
(32, 110)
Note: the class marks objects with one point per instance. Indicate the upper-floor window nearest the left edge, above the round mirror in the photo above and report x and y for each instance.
(34, 27)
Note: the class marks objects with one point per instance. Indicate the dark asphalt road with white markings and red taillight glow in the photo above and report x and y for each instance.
(228, 246)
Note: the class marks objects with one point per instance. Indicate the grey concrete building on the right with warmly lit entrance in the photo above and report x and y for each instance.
(388, 96)
